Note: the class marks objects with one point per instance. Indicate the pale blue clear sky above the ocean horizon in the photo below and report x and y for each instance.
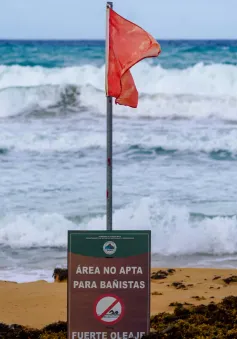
(85, 19)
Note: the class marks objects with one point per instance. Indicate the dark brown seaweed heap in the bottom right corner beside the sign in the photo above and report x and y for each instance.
(213, 321)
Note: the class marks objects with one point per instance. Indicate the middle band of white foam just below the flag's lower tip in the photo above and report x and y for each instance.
(181, 138)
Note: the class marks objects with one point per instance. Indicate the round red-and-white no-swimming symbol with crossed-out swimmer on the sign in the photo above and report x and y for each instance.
(109, 309)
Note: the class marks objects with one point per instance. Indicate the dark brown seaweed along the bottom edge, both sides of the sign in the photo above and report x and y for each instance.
(213, 321)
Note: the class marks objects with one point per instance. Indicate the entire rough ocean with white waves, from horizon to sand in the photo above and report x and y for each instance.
(174, 164)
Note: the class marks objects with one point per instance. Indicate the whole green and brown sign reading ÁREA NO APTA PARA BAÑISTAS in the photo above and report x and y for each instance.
(108, 284)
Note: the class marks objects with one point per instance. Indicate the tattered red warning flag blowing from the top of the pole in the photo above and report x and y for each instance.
(127, 45)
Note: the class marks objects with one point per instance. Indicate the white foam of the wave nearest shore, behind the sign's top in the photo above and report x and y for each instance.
(173, 232)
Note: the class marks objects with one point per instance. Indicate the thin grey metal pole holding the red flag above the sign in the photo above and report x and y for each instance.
(109, 214)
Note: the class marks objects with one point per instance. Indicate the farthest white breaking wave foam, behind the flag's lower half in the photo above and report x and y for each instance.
(196, 92)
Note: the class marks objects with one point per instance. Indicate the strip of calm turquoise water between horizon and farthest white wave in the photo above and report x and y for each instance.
(175, 54)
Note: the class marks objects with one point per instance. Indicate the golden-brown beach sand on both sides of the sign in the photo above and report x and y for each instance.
(40, 303)
